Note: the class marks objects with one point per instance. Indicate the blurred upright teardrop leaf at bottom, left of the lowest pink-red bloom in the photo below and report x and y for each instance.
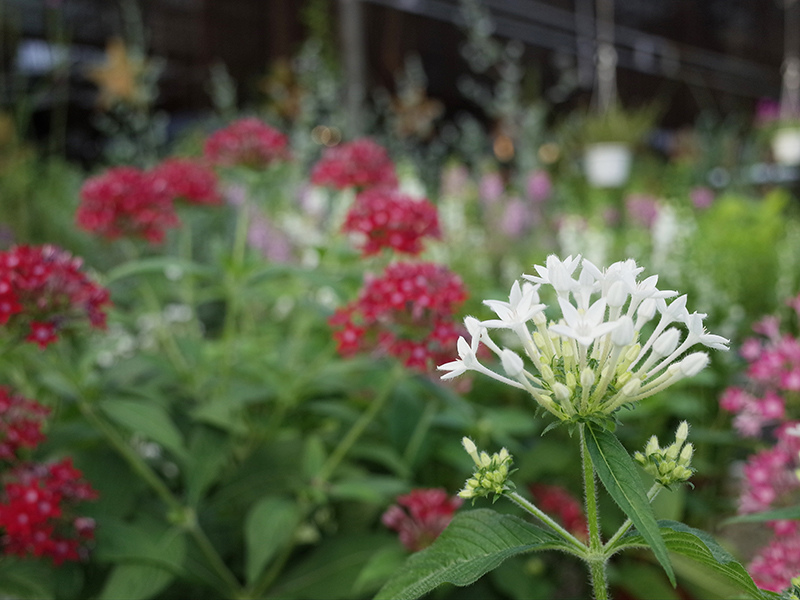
(270, 524)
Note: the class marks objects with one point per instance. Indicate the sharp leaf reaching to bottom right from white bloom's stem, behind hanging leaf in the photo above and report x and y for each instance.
(700, 547)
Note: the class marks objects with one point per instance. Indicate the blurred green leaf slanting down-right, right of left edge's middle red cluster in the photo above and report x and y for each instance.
(149, 419)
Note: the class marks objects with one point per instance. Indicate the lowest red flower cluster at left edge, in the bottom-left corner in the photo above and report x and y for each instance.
(37, 512)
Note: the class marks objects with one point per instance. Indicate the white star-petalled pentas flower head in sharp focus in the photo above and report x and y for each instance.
(589, 360)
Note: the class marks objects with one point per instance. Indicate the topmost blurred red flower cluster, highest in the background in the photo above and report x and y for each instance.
(249, 142)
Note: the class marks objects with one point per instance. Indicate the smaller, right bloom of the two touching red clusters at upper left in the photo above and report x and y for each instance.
(188, 181)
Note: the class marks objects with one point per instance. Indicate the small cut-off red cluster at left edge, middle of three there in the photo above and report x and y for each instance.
(20, 423)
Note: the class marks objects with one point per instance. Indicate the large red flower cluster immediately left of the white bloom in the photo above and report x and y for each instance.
(406, 313)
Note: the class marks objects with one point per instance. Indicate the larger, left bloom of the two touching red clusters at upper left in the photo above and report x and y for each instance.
(125, 201)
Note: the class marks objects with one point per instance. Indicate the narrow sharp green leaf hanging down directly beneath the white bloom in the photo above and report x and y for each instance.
(620, 477)
